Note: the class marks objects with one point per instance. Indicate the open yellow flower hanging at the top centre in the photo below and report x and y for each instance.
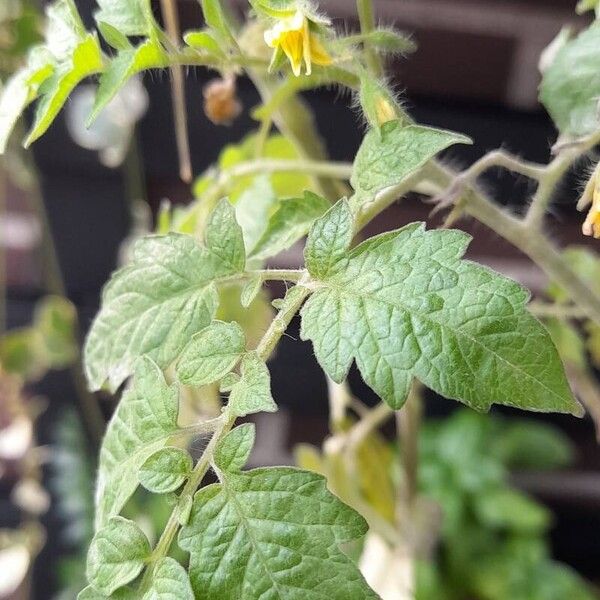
(292, 35)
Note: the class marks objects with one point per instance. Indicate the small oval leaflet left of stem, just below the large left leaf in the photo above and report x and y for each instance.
(211, 354)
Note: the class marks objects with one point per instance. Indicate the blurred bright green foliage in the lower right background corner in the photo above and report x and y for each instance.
(493, 537)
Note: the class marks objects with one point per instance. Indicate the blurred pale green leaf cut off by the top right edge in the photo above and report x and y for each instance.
(571, 84)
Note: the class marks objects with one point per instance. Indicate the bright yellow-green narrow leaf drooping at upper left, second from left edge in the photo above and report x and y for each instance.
(86, 60)
